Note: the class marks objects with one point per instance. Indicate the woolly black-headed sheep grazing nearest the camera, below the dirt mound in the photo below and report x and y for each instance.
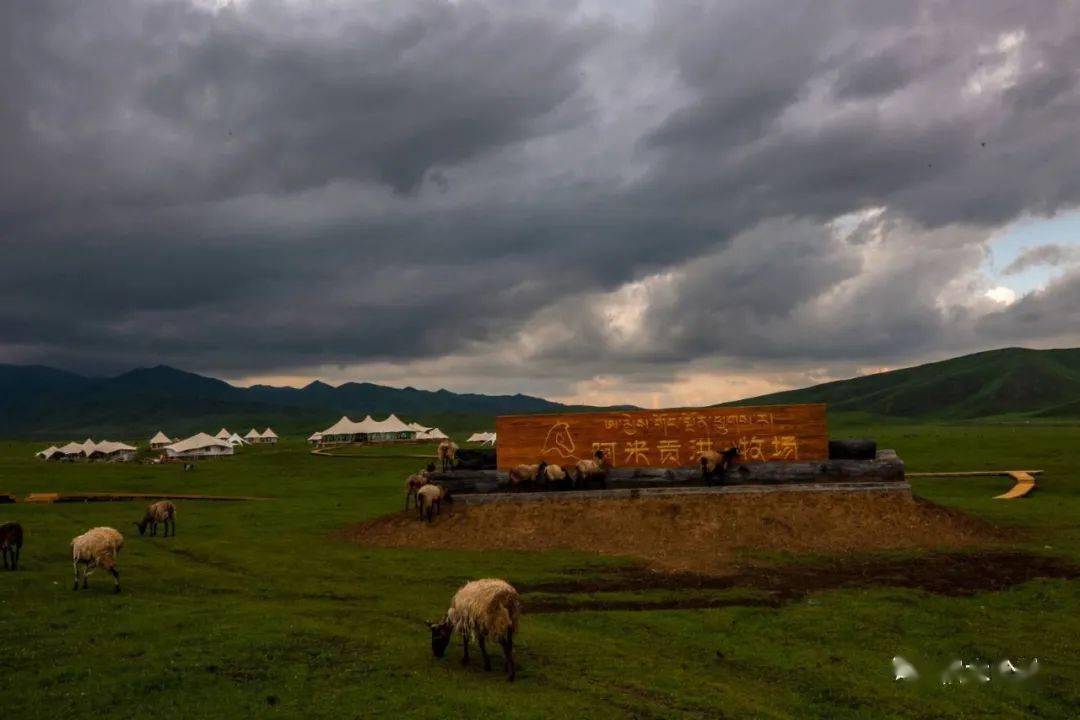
(481, 610)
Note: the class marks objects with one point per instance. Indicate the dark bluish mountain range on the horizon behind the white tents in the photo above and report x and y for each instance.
(43, 402)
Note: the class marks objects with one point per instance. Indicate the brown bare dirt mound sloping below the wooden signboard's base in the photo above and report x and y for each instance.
(685, 534)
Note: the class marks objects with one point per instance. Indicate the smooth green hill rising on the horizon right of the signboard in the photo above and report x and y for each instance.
(1015, 382)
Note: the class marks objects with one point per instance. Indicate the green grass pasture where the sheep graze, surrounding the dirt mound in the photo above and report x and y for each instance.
(255, 610)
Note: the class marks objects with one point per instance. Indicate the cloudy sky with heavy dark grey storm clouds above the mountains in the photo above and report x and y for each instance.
(659, 203)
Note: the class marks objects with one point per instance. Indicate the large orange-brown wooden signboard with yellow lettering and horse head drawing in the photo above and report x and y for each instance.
(655, 439)
